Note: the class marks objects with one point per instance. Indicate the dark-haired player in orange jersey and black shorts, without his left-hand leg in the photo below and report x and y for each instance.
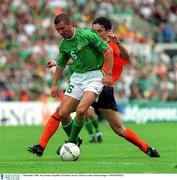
(106, 102)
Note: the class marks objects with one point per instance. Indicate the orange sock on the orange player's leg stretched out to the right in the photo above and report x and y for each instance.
(133, 138)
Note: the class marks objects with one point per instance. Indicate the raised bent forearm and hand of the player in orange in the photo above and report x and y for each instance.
(123, 52)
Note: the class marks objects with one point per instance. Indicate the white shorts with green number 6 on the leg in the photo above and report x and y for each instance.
(81, 82)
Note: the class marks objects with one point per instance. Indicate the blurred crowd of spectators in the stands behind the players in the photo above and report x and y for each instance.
(28, 40)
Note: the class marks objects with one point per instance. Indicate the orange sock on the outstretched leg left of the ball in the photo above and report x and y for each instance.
(49, 129)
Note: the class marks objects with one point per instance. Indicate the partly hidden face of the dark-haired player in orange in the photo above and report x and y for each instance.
(101, 31)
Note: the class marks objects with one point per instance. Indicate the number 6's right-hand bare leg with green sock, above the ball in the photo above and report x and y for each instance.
(87, 99)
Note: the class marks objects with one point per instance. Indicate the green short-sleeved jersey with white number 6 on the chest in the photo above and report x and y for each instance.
(85, 49)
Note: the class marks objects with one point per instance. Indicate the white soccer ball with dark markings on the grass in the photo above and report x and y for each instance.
(69, 152)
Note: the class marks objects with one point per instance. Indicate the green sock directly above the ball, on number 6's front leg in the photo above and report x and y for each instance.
(76, 128)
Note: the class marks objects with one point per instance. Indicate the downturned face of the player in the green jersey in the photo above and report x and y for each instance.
(65, 30)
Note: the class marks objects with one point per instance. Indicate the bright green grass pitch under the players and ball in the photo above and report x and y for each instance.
(114, 155)
